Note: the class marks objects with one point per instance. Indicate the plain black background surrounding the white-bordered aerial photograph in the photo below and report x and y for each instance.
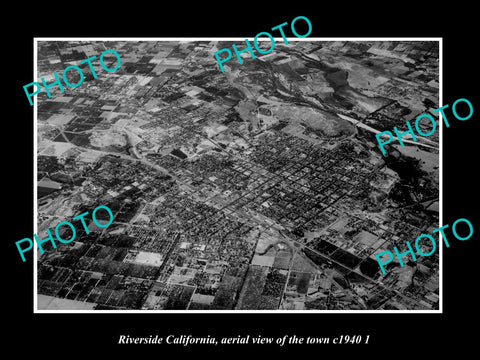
(65, 335)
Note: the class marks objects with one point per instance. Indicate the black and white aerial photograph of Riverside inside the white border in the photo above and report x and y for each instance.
(260, 188)
